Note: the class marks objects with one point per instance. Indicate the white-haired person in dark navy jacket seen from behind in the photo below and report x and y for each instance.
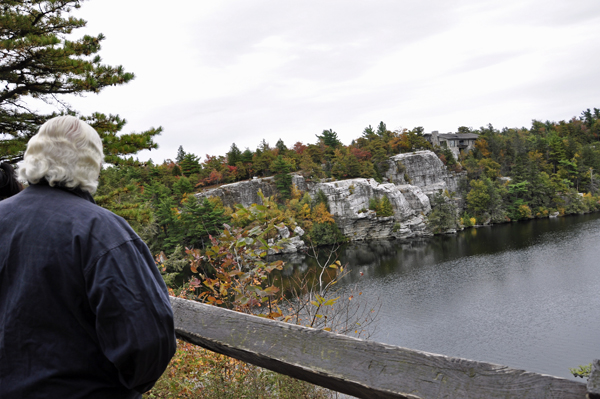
(84, 312)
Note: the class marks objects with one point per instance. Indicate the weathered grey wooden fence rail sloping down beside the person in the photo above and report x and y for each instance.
(361, 368)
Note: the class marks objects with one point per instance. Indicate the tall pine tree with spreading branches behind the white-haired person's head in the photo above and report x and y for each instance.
(40, 61)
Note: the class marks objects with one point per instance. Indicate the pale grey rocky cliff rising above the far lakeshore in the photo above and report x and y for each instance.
(412, 179)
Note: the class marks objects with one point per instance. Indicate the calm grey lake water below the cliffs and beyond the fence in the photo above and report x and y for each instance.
(525, 295)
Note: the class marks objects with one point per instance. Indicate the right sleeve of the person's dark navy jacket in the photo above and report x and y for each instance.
(134, 319)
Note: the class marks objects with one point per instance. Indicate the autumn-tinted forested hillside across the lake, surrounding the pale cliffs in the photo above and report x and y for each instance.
(512, 174)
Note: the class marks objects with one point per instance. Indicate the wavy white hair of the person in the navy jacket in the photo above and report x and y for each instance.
(66, 152)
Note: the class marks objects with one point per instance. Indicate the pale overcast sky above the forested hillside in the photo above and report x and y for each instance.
(212, 73)
